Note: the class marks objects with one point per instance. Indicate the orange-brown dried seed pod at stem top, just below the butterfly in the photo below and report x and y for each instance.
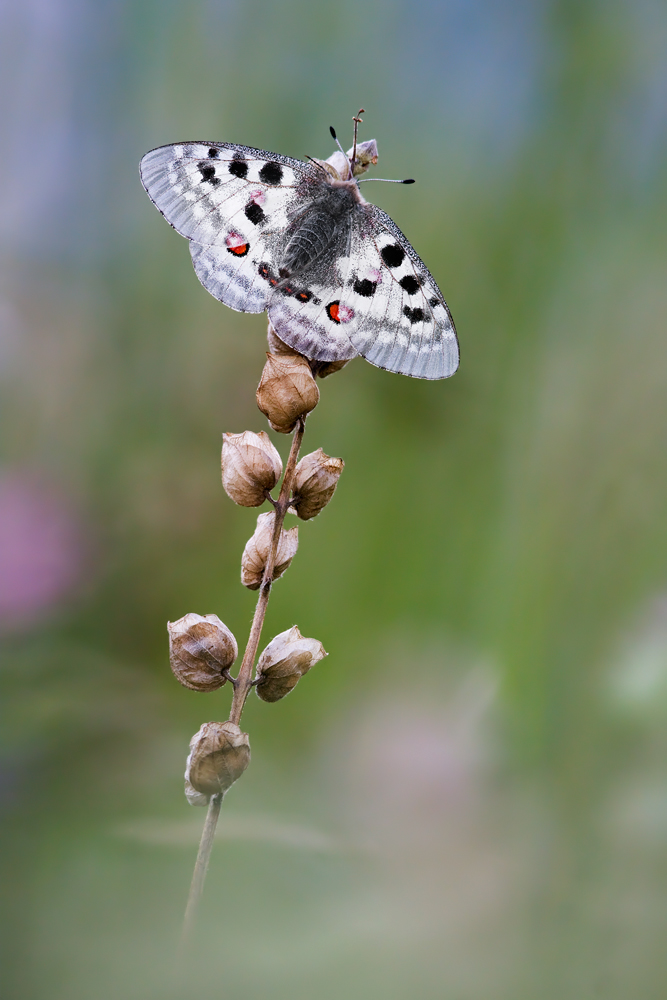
(287, 391)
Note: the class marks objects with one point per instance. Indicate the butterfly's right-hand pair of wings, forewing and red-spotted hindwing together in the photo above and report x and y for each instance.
(376, 299)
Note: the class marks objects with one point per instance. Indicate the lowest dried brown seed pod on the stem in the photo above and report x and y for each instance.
(219, 754)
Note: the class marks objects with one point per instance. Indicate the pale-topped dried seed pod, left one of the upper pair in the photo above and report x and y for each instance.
(251, 465)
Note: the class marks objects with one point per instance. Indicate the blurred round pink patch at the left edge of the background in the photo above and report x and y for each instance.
(40, 550)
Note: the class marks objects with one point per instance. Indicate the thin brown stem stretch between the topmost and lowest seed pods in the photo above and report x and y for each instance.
(243, 680)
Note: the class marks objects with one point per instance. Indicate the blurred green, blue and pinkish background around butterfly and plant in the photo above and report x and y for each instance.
(468, 798)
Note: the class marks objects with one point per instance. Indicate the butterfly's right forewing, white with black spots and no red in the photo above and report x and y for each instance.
(399, 319)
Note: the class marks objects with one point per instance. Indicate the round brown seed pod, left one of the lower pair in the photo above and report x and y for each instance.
(200, 648)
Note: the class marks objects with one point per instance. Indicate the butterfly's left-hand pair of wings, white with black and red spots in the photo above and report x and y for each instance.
(233, 203)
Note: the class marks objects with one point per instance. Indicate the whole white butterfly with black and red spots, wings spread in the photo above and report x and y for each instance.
(337, 277)
